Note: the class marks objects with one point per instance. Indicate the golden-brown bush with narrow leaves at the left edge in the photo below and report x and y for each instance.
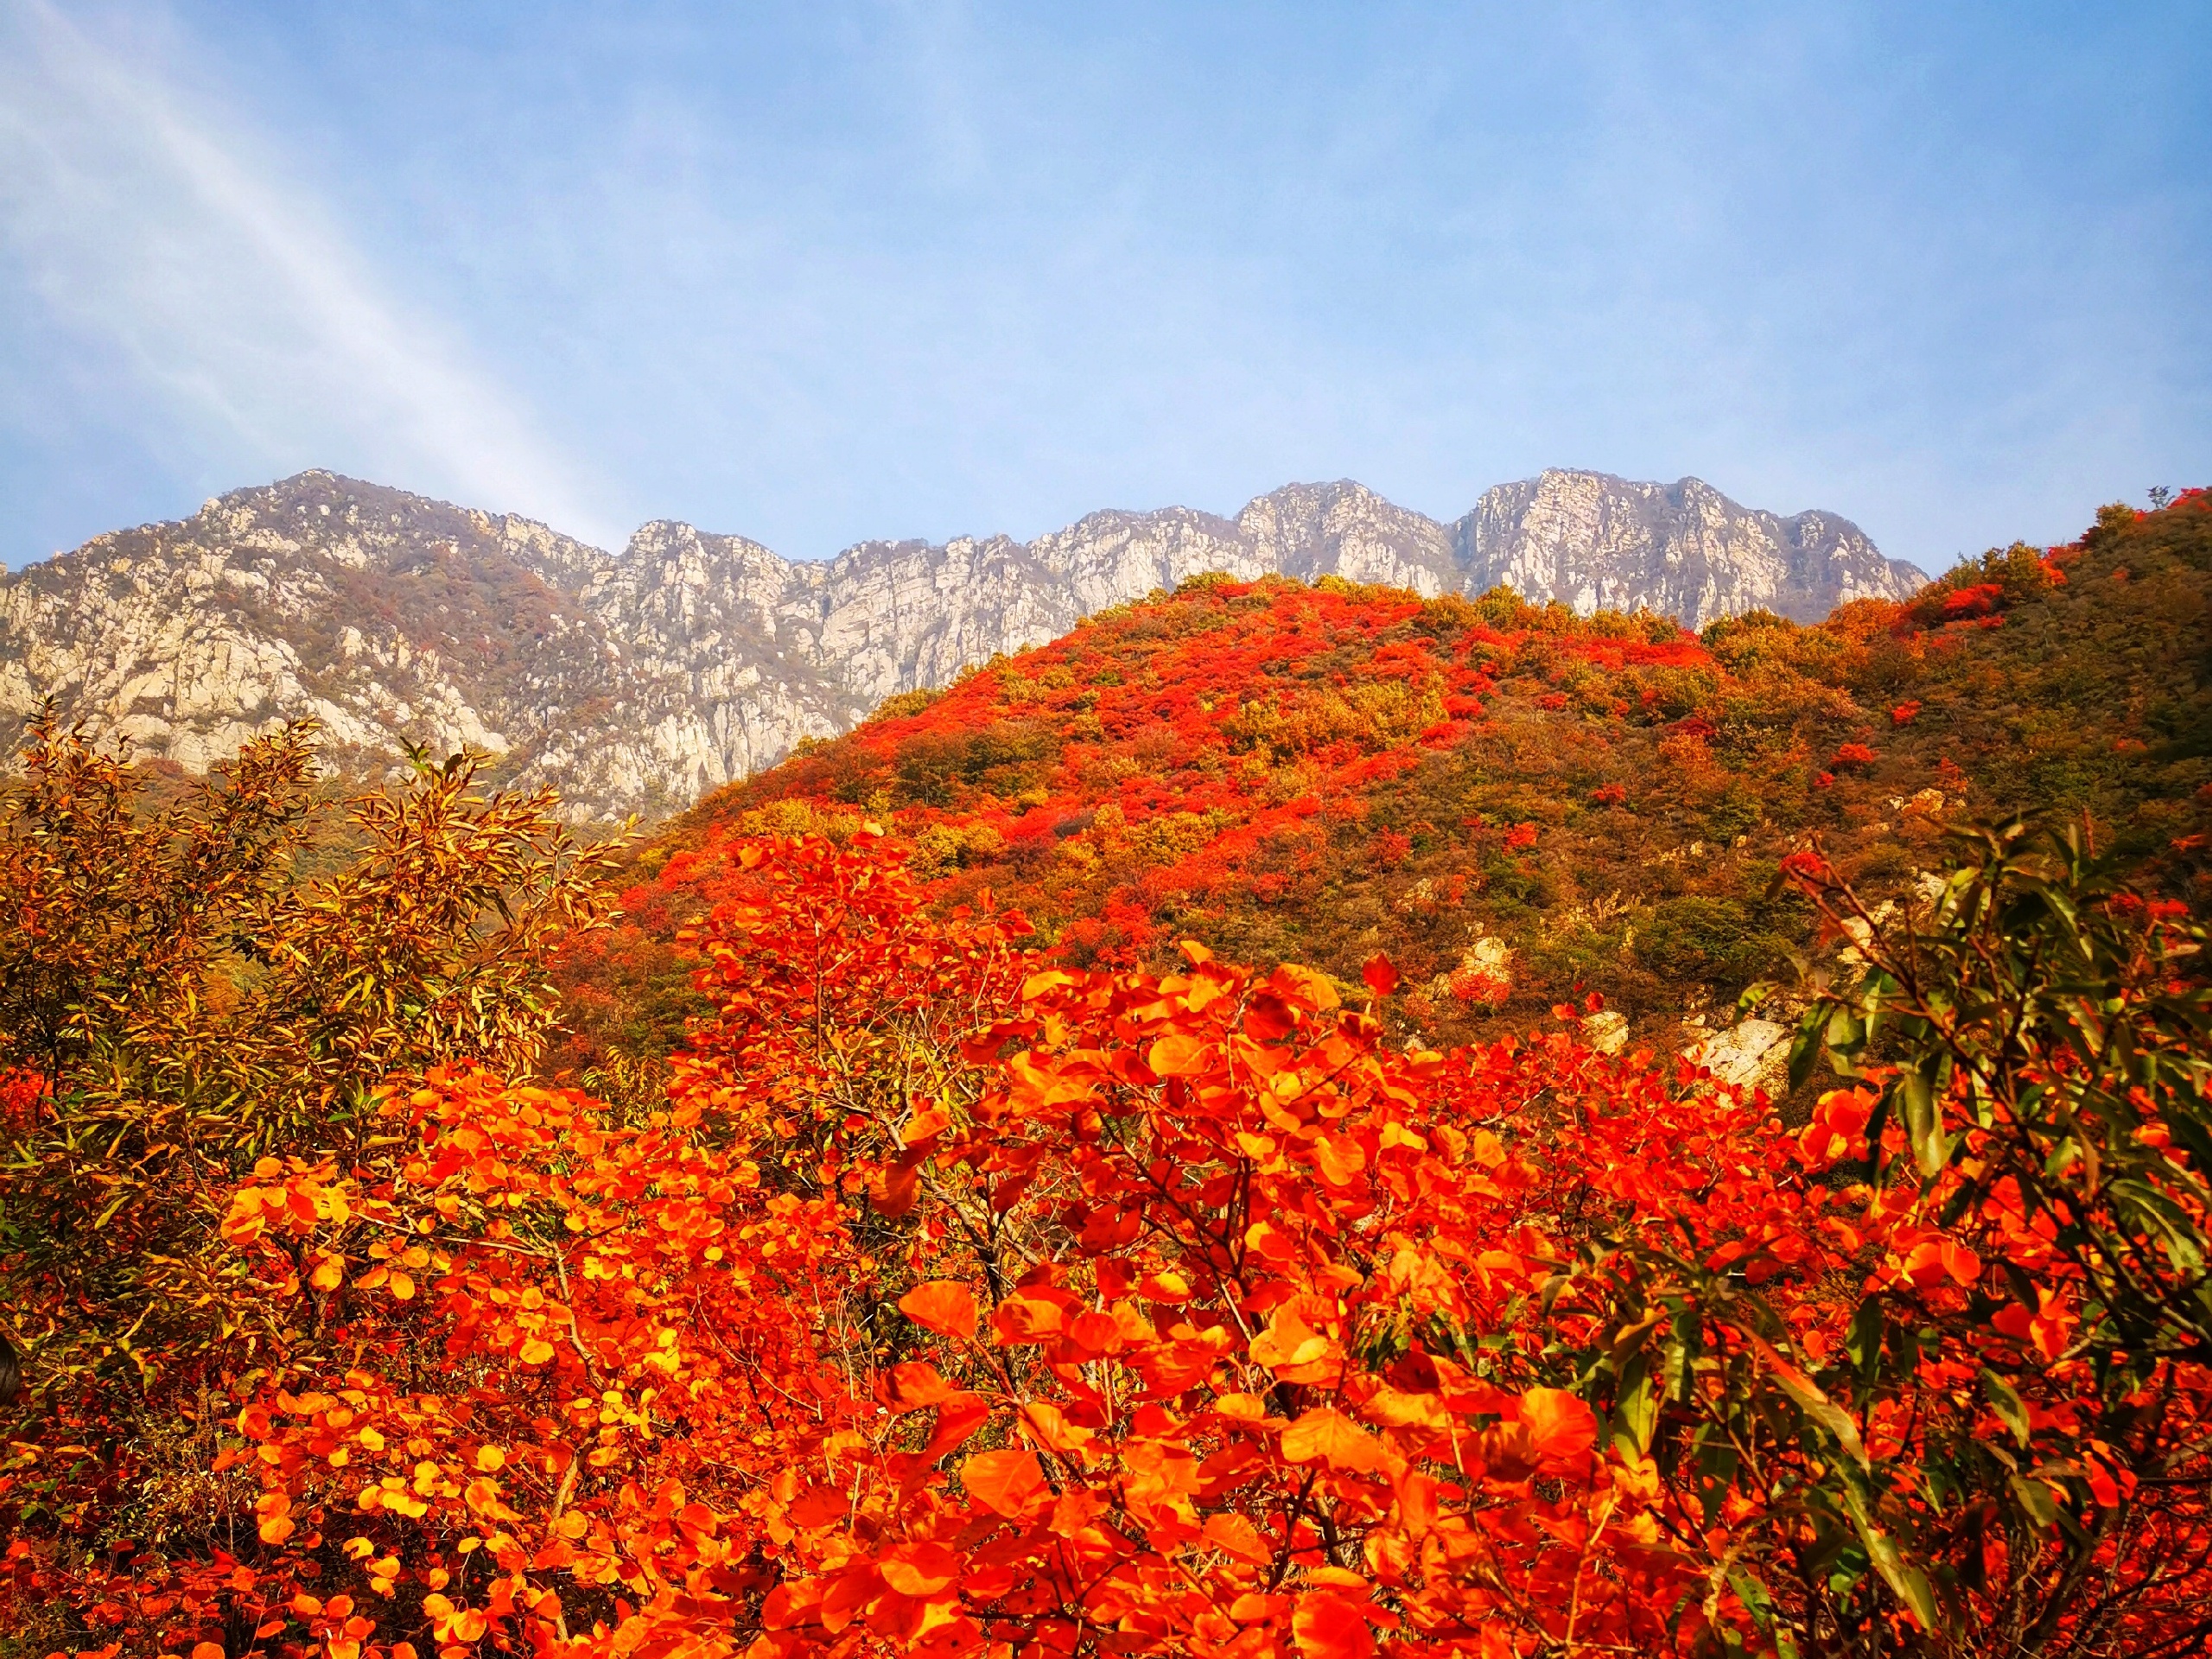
(180, 999)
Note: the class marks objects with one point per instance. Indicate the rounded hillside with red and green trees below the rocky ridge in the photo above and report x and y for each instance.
(1516, 804)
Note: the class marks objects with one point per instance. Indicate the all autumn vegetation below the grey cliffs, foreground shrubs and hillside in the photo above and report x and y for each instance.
(990, 1286)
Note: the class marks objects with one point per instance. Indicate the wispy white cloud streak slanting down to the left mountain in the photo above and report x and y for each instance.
(152, 225)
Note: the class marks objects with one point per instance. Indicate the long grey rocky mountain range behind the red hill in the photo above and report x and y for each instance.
(640, 682)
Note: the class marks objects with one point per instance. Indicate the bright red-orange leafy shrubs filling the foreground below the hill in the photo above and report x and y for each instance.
(963, 1304)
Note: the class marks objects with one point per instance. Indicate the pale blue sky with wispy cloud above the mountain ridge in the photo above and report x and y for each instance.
(822, 273)
